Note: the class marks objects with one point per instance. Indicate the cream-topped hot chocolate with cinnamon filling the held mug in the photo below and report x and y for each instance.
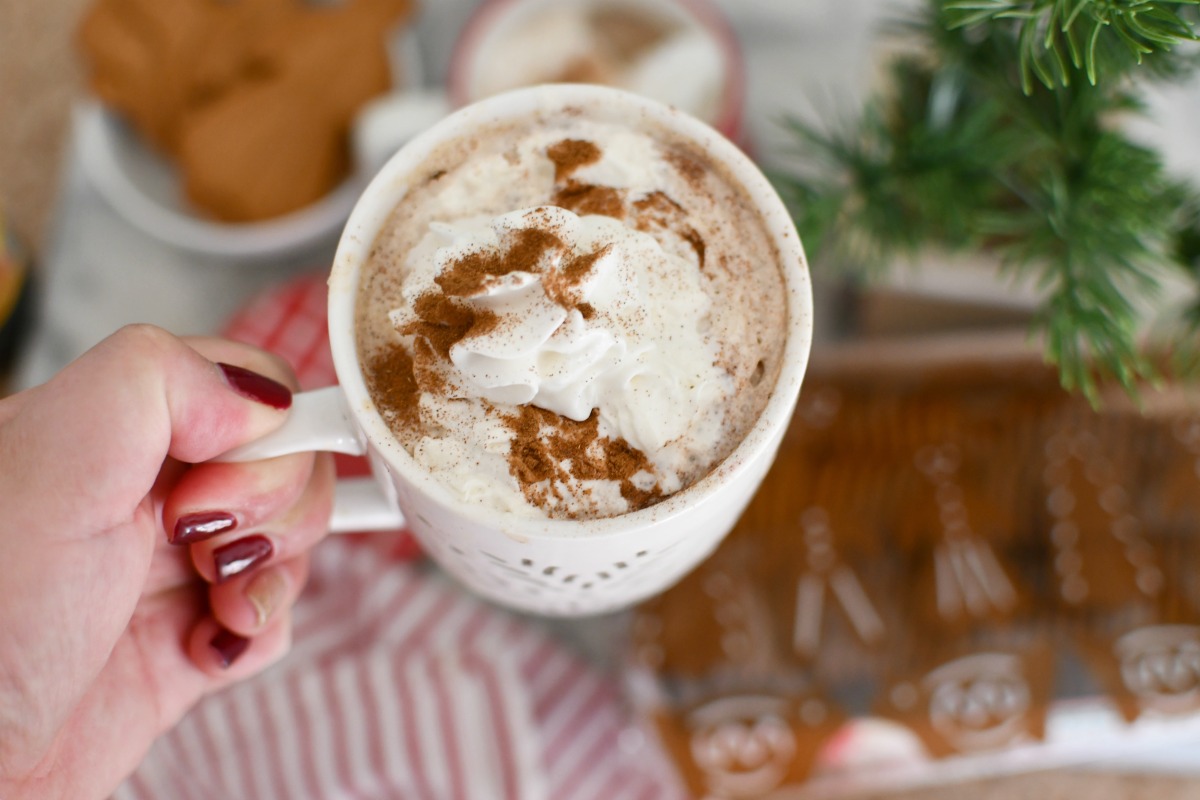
(572, 318)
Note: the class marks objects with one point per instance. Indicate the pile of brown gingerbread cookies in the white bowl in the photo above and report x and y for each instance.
(254, 99)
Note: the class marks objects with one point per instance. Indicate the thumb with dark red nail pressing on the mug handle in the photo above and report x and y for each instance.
(83, 450)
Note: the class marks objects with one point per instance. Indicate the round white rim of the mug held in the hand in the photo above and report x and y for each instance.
(391, 187)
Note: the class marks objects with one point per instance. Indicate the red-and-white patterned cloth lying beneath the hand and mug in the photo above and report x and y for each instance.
(399, 684)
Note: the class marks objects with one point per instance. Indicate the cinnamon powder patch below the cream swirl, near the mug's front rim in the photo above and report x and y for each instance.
(549, 453)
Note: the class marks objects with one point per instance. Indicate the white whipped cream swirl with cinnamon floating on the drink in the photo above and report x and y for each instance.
(599, 317)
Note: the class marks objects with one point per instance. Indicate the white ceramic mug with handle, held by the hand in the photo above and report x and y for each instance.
(548, 567)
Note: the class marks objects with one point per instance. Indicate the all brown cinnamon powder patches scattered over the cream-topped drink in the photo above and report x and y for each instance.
(550, 456)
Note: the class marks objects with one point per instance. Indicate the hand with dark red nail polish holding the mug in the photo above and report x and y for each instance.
(109, 633)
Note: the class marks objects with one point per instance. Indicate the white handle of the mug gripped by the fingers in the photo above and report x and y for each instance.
(322, 420)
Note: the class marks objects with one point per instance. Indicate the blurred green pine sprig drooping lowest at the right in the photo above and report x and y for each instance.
(1094, 231)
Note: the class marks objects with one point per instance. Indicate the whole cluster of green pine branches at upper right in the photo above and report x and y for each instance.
(1003, 133)
